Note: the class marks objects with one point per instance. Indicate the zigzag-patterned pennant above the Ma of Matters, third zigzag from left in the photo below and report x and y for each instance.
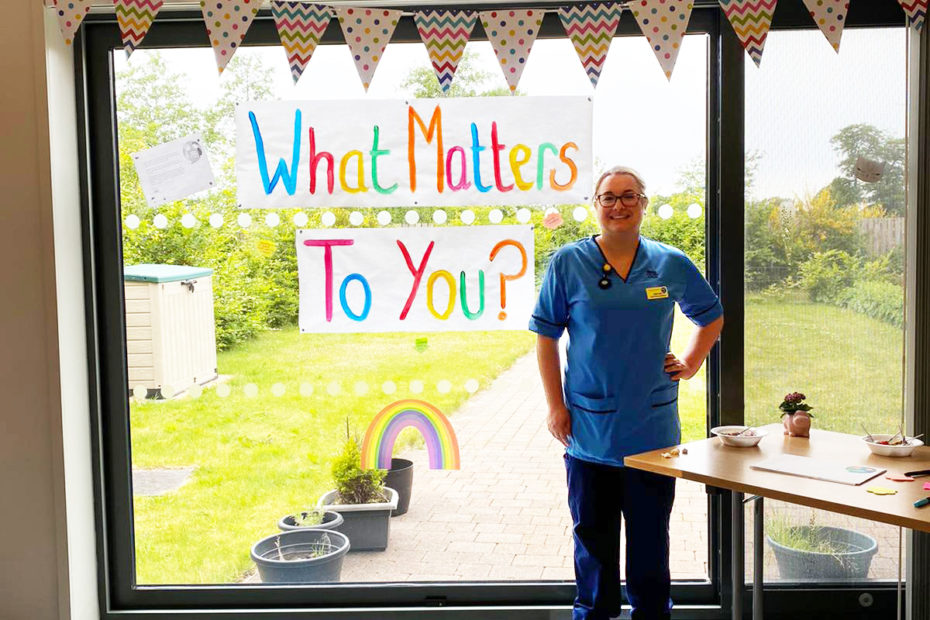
(445, 34)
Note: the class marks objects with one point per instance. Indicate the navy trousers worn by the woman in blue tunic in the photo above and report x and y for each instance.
(599, 497)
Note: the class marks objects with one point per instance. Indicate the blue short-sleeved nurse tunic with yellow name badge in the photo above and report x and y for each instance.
(620, 398)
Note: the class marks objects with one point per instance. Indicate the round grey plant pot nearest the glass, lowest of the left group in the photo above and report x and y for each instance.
(294, 568)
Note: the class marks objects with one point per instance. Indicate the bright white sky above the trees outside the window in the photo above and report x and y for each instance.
(801, 96)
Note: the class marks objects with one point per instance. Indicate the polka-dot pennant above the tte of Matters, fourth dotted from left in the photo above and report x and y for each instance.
(511, 33)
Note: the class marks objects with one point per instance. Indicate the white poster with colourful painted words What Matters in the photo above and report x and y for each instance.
(420, 152)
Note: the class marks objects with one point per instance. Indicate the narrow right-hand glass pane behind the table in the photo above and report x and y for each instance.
(824, 265)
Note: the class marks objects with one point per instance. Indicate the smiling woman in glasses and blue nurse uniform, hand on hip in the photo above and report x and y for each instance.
(615, 293)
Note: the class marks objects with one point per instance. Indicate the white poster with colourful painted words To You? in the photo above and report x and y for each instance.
(415, 279)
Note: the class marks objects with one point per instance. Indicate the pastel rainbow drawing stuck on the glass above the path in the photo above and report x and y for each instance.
(441, 444)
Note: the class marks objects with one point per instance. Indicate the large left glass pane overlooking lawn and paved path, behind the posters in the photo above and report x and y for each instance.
(220, 457)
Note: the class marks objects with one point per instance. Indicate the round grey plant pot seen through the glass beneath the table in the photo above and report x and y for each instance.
(851, 559)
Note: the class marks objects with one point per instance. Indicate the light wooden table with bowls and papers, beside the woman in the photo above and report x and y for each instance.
(710, 462)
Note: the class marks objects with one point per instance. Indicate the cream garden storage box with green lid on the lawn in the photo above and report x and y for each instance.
(170, 334)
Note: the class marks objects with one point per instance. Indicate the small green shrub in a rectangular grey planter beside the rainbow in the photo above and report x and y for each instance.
(361, 498)
